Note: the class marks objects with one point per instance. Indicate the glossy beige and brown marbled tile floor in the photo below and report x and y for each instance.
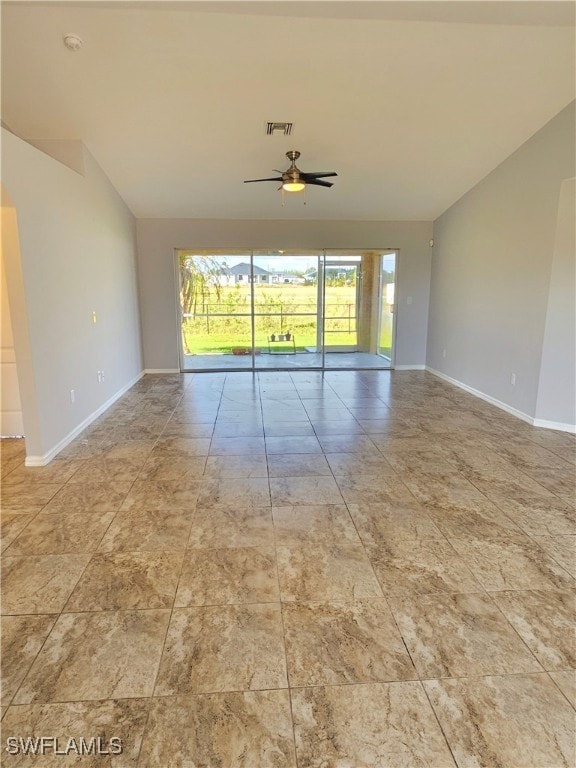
(349, 570)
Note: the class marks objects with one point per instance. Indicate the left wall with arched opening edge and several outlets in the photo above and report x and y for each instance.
(76, 256)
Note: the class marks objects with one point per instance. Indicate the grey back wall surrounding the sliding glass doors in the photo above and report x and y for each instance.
(157, 239)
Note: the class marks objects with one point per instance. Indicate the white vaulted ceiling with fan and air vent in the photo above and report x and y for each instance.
(411, 103)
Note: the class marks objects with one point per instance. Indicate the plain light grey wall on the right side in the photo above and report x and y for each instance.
(491, 277)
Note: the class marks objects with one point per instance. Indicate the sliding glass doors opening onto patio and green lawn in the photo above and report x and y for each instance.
(284, 310)
